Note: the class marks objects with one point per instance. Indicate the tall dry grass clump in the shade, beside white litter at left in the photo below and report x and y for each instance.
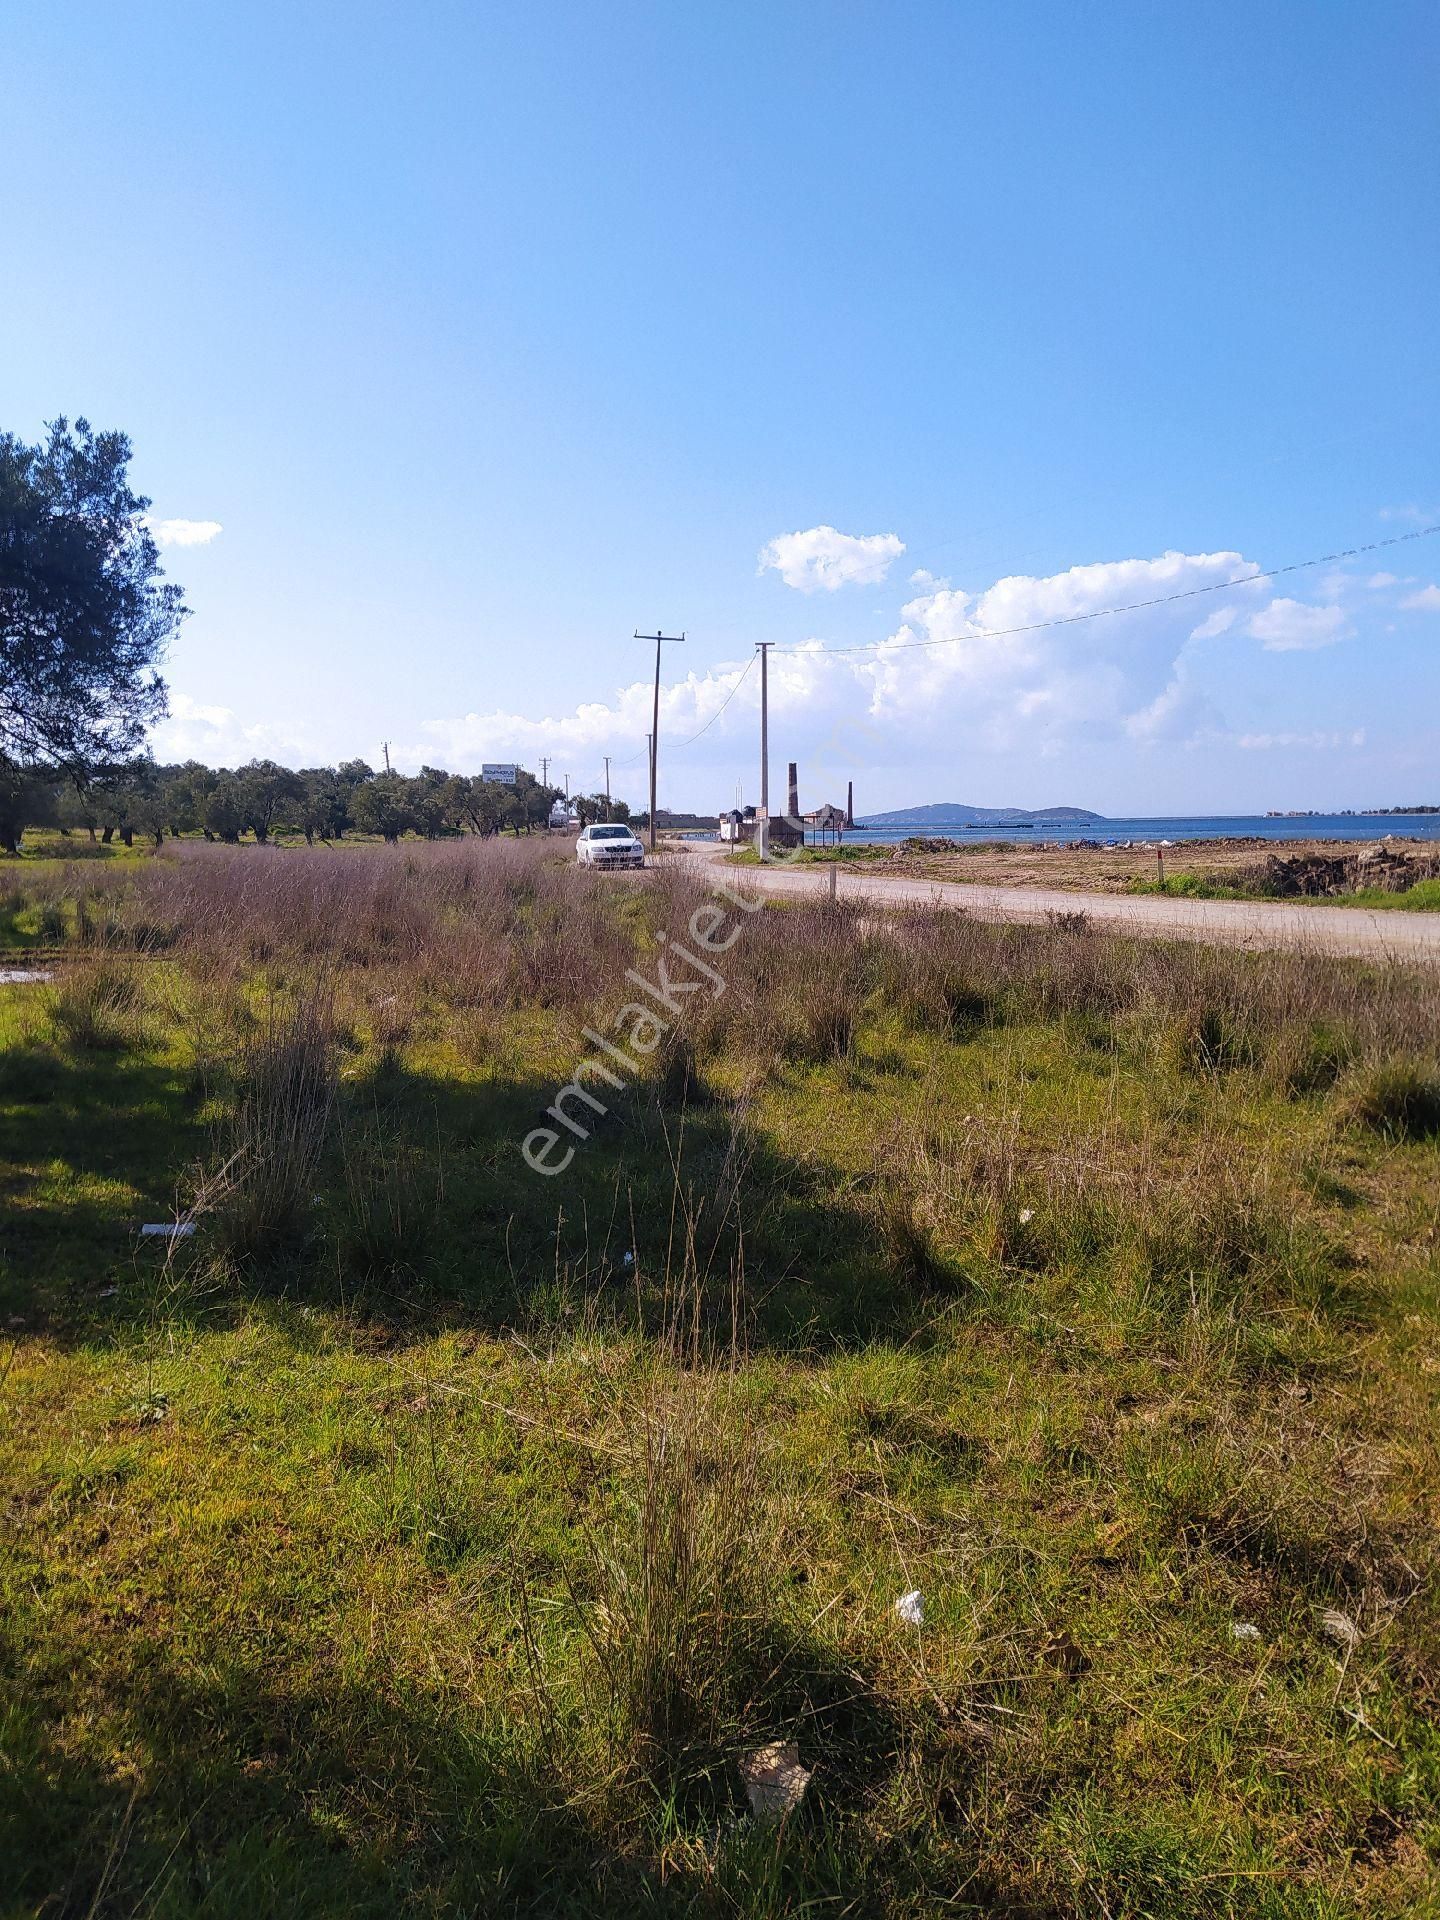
(272, 1145)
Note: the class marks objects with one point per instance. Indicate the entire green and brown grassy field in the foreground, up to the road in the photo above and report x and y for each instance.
(429, 1537)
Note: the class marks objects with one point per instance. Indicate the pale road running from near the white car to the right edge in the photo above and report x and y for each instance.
(1332, 930)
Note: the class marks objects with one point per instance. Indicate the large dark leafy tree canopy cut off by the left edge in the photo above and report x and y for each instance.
(85, 613)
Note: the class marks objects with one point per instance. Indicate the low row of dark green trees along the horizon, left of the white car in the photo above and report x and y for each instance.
(141, 800)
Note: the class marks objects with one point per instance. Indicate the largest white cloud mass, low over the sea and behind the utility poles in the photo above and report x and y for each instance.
(951, 681)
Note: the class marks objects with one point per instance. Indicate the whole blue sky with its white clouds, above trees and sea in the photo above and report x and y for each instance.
(489, 335)
